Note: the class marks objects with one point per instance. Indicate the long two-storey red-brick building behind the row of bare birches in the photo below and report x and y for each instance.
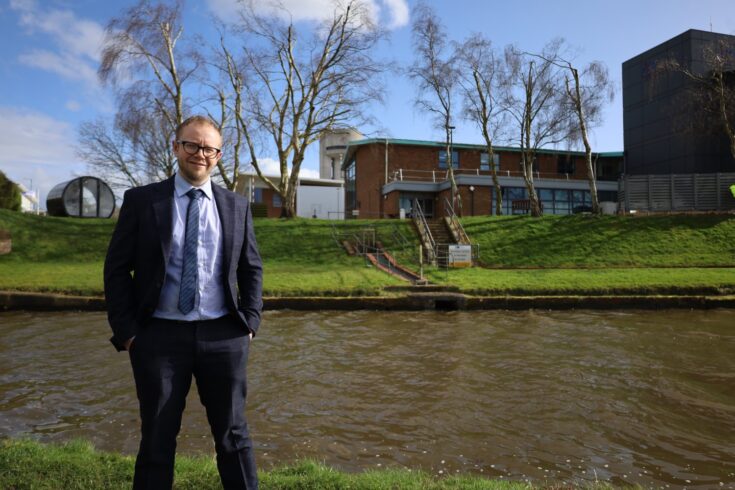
(383, 176)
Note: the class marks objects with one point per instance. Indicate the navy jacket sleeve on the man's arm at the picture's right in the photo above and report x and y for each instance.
(250, 276)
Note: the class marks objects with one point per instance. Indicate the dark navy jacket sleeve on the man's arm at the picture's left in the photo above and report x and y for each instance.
(118, 278)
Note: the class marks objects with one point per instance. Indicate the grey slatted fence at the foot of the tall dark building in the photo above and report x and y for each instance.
(677, 192)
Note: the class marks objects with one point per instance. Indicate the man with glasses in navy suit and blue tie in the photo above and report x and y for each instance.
(183, 282)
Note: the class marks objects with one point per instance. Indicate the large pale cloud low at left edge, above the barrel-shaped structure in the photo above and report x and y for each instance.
(39, 148)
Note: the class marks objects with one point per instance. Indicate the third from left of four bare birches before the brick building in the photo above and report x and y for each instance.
(534, 98)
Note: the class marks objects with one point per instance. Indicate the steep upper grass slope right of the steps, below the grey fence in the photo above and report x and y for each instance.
(703, 240)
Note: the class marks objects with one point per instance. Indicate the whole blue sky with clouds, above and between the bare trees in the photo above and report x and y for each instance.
(50, 52)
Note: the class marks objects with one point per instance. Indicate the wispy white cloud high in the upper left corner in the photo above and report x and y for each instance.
(77, 40)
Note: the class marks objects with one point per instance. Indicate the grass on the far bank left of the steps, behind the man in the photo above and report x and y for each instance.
(300, 257)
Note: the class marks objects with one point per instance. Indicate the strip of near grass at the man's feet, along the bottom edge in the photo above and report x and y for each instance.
(77, 465)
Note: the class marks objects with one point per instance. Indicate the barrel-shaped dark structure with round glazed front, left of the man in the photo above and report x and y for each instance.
(83, 197)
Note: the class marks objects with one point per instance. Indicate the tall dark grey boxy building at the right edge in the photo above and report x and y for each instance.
(665, 131)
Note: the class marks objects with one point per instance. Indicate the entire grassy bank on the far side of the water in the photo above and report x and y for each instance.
(519, 255)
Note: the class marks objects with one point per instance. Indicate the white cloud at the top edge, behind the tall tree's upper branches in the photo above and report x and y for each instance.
(310, 9)
